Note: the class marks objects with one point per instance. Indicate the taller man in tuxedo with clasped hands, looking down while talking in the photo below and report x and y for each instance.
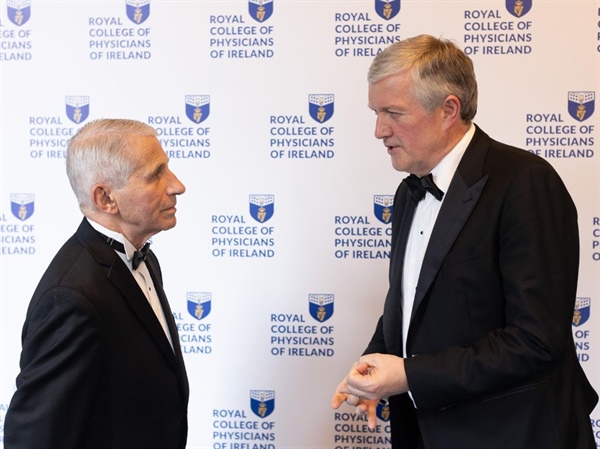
(474, 349)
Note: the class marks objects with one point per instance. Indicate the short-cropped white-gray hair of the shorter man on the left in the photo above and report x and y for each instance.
(99, 153)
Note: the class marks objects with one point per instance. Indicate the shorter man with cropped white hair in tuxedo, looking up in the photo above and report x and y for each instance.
(101, 365)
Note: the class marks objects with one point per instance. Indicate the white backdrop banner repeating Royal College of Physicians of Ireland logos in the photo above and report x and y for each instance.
(277, 269)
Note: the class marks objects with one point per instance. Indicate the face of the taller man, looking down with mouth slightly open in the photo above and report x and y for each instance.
(414, 137)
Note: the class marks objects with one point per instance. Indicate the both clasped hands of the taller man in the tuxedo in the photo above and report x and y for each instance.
(371, 378)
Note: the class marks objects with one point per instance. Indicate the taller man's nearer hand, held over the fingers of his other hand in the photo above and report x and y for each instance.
(376, 376)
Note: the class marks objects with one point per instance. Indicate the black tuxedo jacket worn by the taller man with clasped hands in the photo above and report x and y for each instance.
(491, 361)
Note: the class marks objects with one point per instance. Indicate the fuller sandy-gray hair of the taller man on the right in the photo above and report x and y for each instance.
(438, 67)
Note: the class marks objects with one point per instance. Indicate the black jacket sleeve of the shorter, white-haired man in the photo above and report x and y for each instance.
(59, 374)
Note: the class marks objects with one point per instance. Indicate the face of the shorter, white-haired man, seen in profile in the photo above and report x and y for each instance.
(147, 202)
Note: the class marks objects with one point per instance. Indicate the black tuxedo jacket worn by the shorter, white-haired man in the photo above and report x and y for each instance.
(97, 370)
